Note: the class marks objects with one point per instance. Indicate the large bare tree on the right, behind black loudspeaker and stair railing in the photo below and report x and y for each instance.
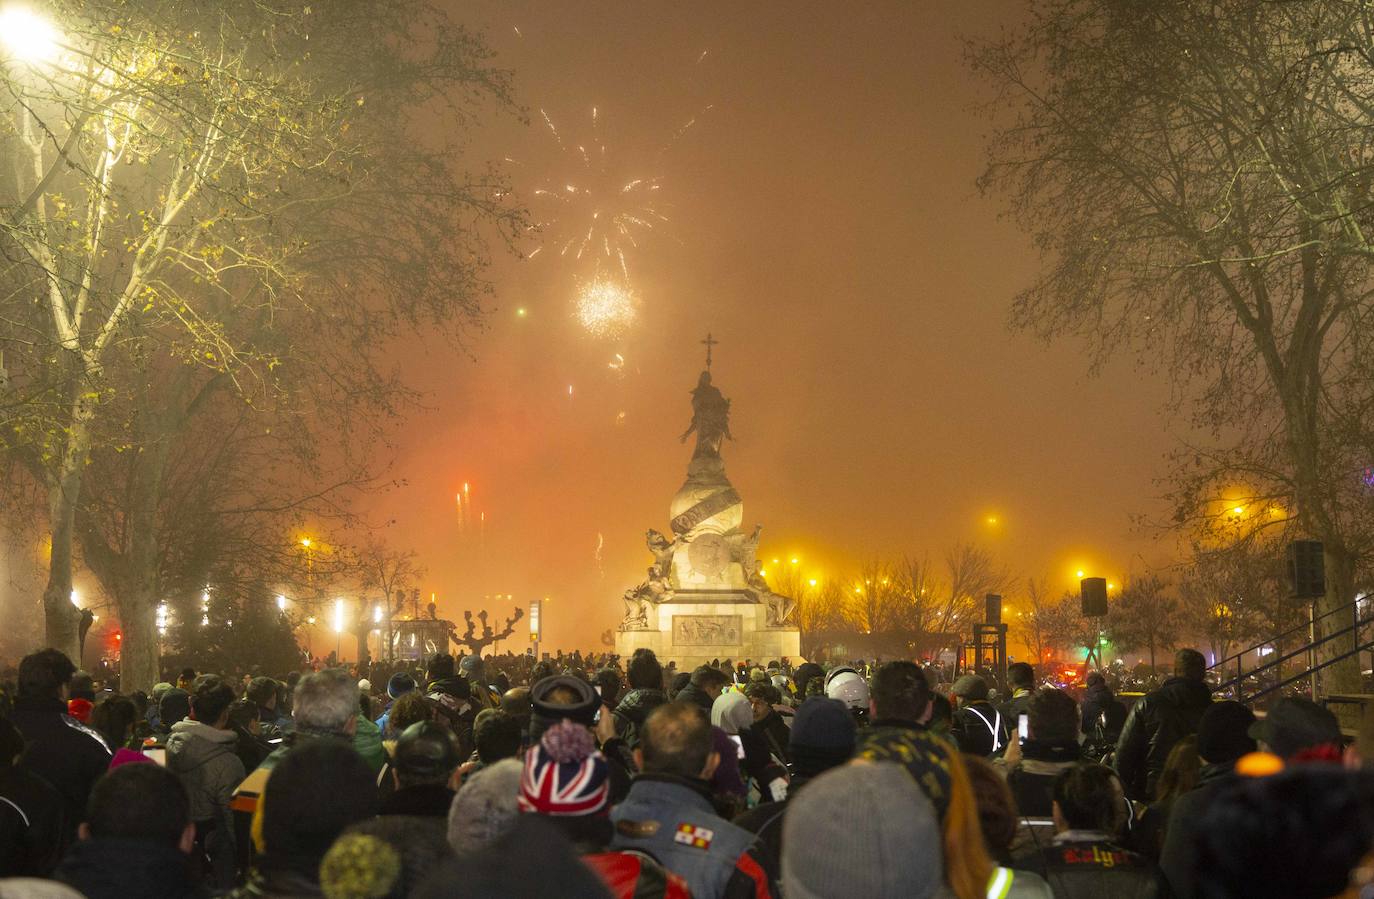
(1197, 177)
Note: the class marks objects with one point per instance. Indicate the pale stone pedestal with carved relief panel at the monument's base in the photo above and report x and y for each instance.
(693, 630)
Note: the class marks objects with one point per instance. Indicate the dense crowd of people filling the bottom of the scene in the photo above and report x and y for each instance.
(630, 779)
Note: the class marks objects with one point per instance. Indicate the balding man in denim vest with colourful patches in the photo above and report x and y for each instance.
(670, 813)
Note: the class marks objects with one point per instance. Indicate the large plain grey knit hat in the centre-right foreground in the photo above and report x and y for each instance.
(862, 832)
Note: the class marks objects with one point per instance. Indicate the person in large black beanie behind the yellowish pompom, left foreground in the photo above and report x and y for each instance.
(317, 791)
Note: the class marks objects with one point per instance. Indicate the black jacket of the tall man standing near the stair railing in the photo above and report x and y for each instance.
(1155, 725)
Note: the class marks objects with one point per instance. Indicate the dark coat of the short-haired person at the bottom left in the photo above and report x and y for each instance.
(119, 869)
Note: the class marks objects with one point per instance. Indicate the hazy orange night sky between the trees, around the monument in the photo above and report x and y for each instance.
(824, 225)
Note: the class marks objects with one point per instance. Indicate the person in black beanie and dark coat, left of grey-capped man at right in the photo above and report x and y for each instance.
(1224, 739)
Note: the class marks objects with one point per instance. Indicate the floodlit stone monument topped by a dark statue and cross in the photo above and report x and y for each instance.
(706, 596)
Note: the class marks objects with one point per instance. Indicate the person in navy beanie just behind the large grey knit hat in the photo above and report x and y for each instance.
(822, 739)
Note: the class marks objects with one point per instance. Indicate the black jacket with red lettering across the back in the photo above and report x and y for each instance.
(1088, 865)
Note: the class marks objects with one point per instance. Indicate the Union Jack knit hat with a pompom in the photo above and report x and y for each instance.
(565, 775)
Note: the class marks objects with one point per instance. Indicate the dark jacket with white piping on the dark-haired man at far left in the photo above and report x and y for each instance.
(63, 751)
